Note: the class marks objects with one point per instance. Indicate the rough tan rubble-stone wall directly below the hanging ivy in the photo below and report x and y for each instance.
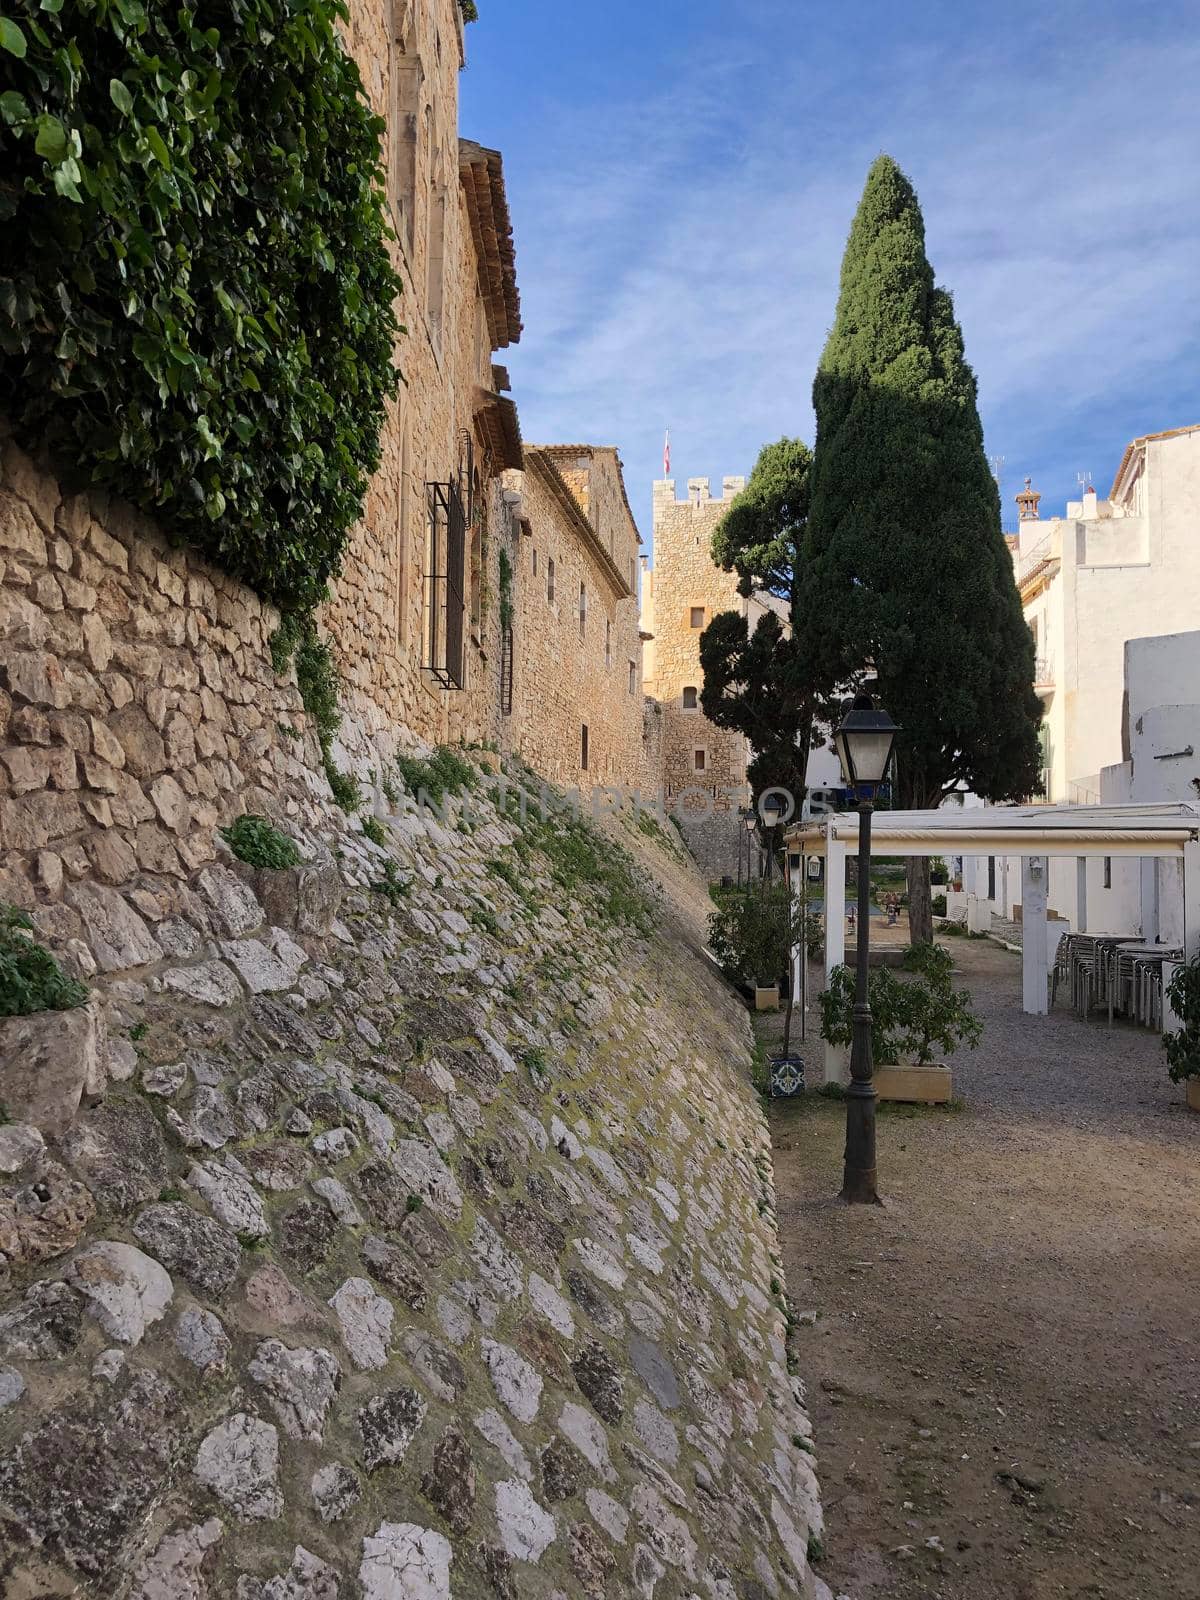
(138, 711)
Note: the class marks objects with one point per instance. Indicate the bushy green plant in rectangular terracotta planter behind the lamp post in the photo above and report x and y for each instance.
(911, 1018)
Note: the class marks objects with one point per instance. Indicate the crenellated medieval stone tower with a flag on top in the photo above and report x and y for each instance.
(703, 766)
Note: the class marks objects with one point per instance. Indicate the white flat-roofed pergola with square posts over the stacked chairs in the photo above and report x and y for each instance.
(1031, 833)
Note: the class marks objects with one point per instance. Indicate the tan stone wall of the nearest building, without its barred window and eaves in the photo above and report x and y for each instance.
(410, 57)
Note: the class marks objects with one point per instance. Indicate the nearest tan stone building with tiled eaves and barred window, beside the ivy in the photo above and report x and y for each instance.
(414, 618)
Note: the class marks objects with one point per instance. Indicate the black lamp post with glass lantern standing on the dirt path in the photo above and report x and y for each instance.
(865, 742)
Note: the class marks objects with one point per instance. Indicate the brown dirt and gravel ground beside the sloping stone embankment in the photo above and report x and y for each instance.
(1004, 1362)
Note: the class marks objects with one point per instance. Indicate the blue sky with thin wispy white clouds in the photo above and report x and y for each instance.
(684, 174)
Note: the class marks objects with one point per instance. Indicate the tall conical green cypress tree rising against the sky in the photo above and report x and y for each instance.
(908, 574)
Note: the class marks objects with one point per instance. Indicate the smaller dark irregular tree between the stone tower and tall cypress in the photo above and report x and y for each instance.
(754, 682)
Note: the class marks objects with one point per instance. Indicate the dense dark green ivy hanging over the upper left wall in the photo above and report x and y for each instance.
(198, 303)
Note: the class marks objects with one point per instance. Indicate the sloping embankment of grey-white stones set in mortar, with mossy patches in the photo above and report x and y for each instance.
(394, 1250)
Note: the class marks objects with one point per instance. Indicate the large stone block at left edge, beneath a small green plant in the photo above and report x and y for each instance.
(47, 1062)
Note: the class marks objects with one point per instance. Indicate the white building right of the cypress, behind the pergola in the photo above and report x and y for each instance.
(1110, 572)
